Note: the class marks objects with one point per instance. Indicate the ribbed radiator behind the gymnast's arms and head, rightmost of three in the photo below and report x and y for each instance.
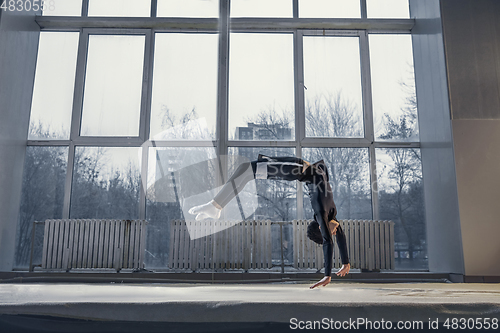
(370, 245)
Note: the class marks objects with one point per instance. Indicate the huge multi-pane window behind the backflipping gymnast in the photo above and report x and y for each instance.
(132, 118)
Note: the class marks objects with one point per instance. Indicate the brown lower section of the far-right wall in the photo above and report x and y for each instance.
(477, 153)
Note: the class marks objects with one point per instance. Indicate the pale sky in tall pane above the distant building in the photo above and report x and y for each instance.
(261, 76)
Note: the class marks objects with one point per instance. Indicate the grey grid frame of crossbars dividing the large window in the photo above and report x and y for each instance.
(223, 26)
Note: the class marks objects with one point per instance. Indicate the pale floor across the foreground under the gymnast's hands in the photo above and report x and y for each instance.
(246, 303)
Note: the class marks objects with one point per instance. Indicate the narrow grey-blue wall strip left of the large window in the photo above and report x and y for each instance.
(18, 47)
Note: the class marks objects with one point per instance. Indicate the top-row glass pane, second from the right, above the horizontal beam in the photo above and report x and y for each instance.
(329, 8)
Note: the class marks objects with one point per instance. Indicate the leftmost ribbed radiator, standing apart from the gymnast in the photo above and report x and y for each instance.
(79, 243)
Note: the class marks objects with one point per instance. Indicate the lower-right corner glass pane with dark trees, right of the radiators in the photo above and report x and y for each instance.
(401, 200)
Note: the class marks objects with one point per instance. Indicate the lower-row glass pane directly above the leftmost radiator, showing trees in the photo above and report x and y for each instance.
(106, 183)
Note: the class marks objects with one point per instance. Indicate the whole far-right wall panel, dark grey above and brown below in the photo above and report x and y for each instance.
(472, 43)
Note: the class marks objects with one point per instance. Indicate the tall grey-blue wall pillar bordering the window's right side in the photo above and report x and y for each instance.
(444, 241)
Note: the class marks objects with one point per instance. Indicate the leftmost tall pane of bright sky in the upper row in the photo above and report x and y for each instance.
(52, 101)
